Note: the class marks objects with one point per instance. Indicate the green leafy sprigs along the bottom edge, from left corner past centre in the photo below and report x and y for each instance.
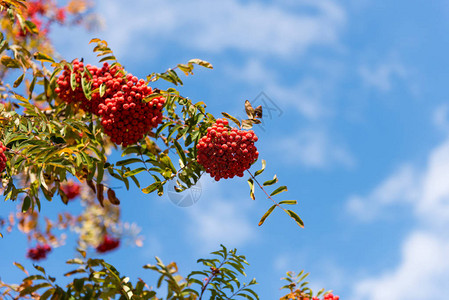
(97, 279)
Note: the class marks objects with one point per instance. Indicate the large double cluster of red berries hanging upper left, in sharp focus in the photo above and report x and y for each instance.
(125, 117)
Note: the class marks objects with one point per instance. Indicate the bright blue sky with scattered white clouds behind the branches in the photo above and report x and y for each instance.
(361, 138)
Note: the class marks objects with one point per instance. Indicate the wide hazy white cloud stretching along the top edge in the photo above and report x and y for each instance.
(217, 26)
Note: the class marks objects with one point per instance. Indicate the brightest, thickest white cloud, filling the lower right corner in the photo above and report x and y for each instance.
(423, 271)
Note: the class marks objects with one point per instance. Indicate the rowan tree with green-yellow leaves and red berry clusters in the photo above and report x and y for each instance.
(59, 121)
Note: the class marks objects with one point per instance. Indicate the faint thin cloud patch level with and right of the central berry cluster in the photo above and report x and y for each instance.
(315, 149)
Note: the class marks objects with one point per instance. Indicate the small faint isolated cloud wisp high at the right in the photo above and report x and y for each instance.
(381, 76)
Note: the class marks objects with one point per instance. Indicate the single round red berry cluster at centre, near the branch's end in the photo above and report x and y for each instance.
(226, 152)
